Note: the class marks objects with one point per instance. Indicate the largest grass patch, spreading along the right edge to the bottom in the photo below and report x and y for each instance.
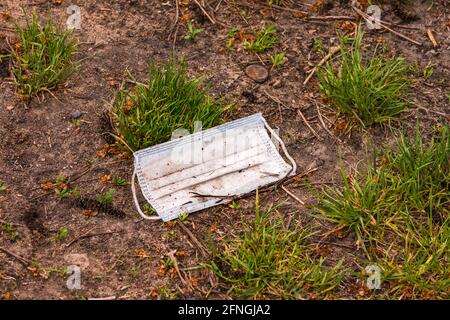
(399, 209)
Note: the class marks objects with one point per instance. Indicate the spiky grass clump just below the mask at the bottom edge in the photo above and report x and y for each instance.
(269, 261)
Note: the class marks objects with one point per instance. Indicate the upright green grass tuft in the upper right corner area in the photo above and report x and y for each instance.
(371, 90)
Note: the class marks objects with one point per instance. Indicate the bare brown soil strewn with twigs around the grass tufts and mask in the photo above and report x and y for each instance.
(123, 255)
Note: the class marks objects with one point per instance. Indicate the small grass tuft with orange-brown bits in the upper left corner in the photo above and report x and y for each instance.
(42, 58)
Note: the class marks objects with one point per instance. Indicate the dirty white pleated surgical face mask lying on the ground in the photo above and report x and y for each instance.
(210, 167)
